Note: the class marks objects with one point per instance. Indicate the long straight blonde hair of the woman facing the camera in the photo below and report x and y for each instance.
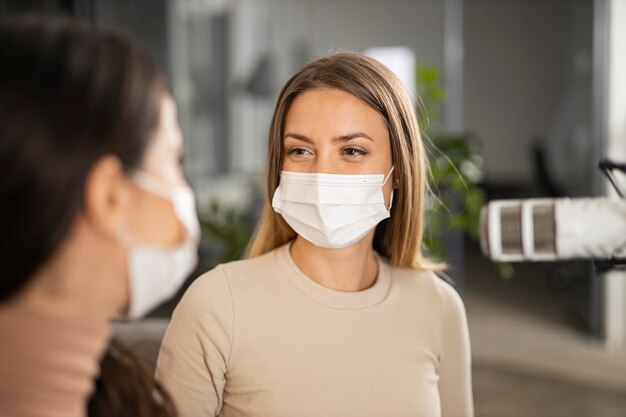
(399, 237)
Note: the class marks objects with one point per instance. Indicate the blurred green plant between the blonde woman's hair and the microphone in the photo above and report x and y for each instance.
(456, 170)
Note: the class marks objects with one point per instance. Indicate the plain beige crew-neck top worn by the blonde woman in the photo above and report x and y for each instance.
(259, 338)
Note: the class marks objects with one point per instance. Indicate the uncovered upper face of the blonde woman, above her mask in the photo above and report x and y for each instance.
(331, 131)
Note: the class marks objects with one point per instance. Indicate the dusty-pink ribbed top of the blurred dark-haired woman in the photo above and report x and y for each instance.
(47, 365)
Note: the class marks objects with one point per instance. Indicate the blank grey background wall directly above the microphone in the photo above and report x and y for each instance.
(527, 77)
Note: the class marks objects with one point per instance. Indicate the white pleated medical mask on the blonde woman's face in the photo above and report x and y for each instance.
(331, 210)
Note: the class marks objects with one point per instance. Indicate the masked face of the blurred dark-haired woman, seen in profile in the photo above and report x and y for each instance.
(161, 227)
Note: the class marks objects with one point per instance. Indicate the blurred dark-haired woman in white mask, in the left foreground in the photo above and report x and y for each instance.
(97, 219)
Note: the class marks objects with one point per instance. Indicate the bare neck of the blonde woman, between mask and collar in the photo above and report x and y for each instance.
(354, 268)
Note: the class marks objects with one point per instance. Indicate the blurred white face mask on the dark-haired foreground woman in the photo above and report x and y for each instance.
(156, 273)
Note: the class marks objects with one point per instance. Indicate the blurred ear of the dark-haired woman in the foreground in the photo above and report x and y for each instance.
(106, 196)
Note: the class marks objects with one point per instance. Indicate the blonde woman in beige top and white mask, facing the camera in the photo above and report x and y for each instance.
(335, 313)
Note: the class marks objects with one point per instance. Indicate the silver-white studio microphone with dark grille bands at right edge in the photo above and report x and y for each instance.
(553, 229)
